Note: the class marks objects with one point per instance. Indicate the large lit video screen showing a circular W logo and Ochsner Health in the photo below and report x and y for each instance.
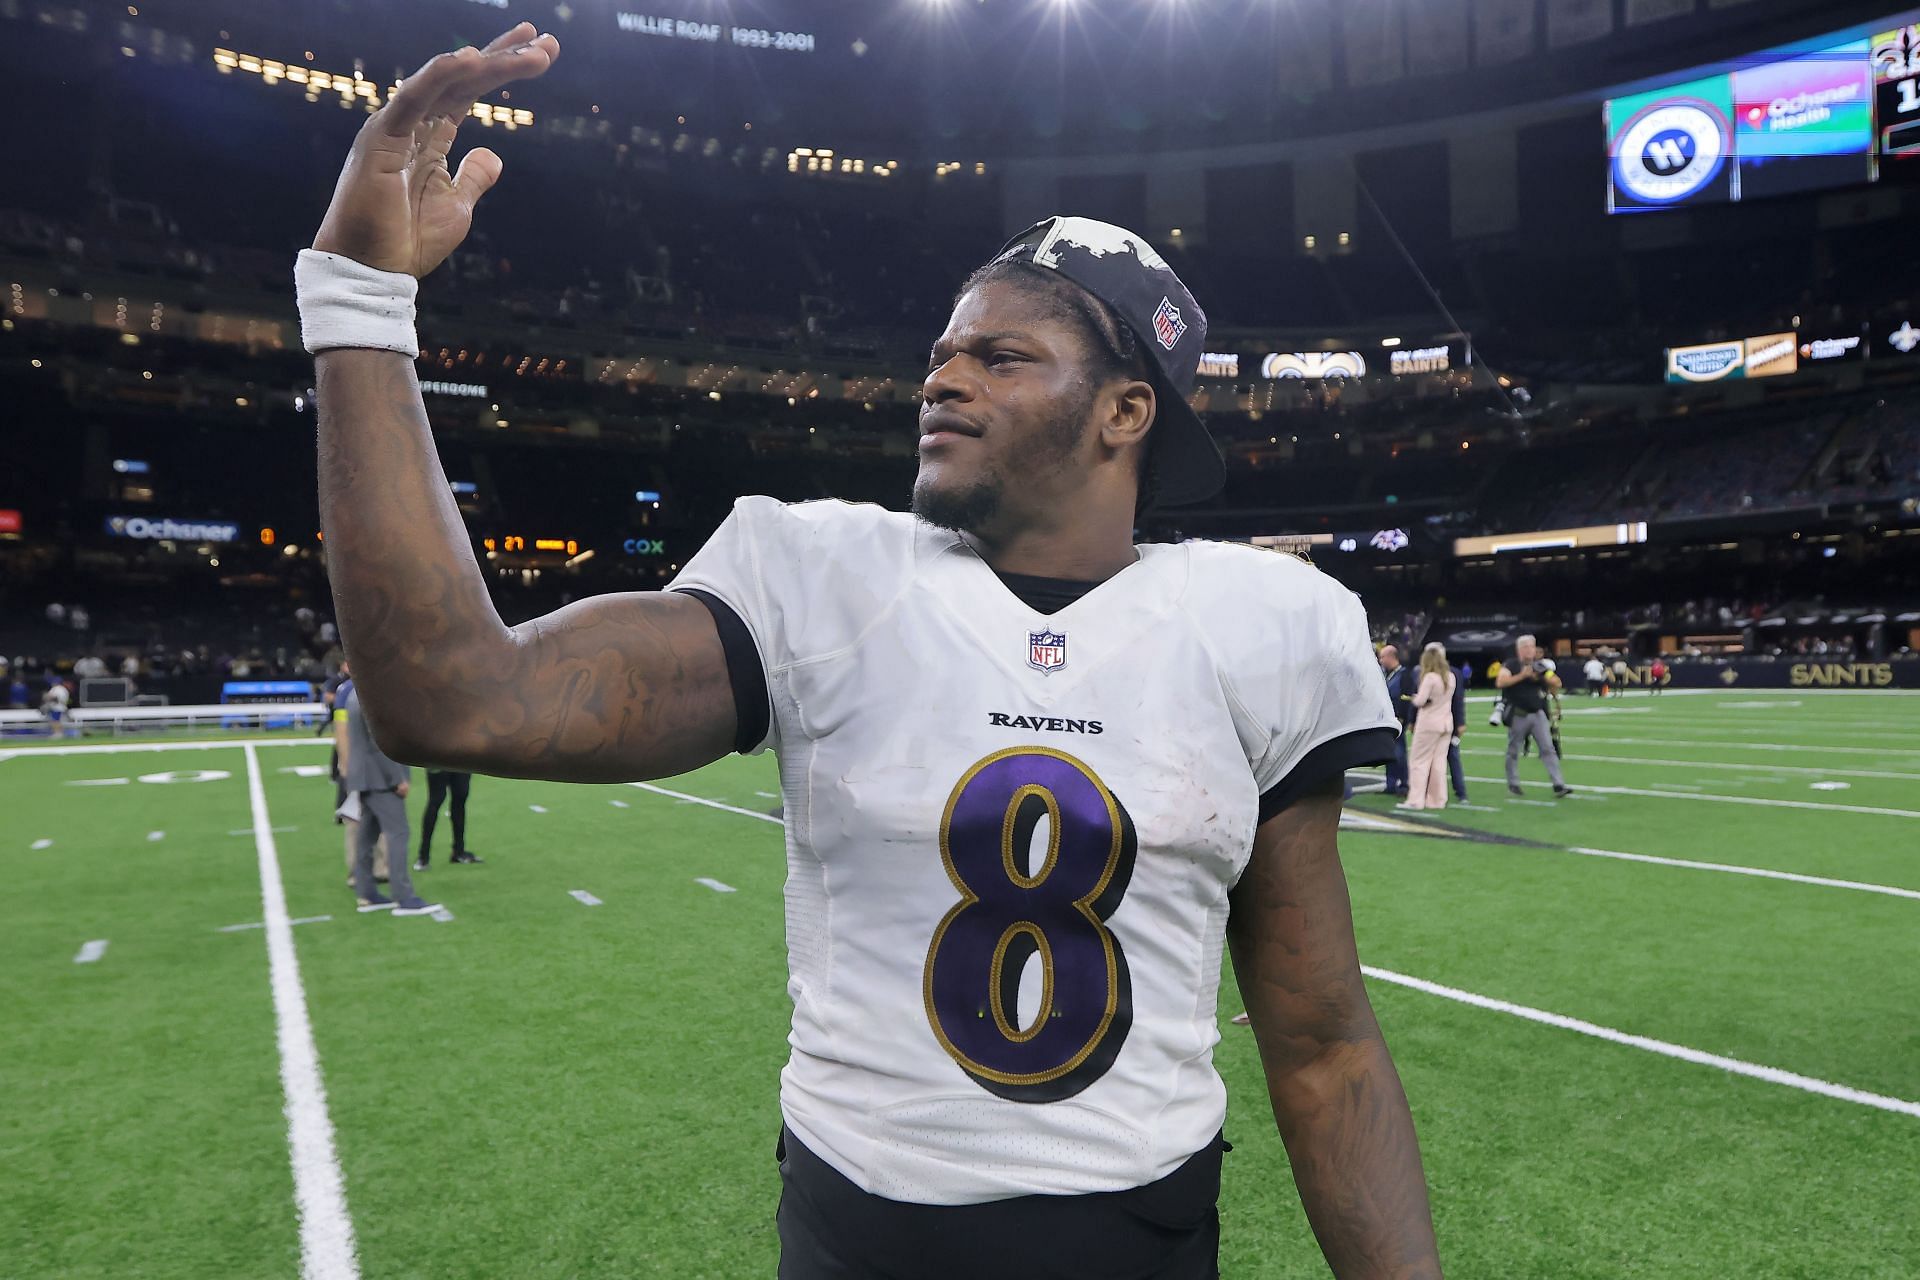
(1800, 118)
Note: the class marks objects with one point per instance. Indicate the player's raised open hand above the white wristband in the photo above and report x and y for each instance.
(396, 204)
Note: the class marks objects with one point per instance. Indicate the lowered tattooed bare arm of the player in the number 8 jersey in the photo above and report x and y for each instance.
(1335, 1093)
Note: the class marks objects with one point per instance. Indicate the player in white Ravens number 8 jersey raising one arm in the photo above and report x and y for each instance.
(1034, 776)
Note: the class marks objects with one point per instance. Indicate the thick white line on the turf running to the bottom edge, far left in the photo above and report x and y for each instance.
(320, 1189)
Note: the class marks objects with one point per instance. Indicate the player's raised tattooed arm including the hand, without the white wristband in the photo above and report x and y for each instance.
(608, 690)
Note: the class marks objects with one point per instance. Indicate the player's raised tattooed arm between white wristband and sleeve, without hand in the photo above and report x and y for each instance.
(610, 690)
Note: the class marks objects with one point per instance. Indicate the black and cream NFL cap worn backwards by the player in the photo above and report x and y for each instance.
(1136, 281)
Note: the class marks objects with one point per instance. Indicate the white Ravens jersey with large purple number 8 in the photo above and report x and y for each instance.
(1011, 836)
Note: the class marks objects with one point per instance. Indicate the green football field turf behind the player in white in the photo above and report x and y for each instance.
(548, 1089)
